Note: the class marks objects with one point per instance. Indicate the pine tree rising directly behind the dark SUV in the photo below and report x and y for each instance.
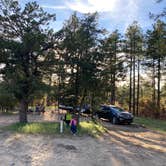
(113, 68)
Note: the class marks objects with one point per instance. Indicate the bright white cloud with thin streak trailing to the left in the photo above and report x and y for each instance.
(126, 9)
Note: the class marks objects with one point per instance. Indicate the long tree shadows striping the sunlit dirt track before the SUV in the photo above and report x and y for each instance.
(125, 138)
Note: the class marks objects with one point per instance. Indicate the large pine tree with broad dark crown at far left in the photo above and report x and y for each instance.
(26, 50)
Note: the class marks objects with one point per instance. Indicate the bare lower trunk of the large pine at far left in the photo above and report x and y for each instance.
(23, 111)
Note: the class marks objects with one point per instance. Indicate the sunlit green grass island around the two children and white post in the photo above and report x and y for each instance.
(89, 128)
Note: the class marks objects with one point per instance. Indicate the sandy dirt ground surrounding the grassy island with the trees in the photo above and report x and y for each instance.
(123, 145)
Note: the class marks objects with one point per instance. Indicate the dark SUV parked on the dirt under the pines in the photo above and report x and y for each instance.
(115, 114)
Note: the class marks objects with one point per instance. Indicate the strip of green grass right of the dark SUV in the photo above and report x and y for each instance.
(154, 124)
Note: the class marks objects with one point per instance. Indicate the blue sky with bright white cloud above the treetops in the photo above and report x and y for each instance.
(113, 14)
